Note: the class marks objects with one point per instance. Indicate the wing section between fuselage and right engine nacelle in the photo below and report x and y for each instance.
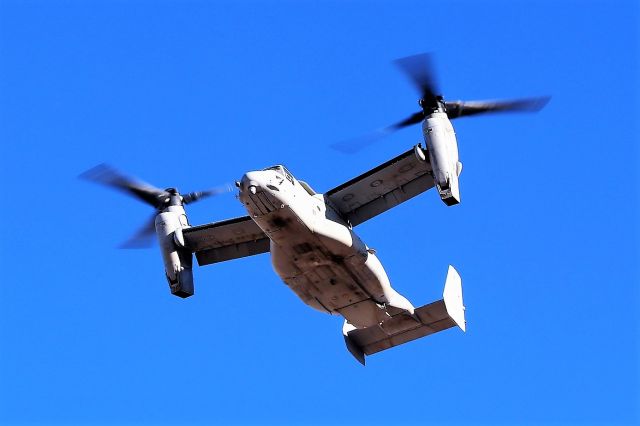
(383, 187)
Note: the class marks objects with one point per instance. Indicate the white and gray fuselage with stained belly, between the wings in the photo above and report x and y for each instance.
(316, 253)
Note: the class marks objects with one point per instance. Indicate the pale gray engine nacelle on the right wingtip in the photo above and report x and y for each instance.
(442, 147)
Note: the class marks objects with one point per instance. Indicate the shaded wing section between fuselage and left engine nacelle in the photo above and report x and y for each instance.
(226, 240)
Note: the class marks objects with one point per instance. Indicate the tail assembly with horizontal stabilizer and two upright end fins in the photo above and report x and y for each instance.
(404, 327)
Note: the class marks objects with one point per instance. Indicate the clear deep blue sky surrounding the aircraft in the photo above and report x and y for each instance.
(193, 94)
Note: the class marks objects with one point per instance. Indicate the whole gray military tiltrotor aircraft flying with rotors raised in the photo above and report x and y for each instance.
(311, 237)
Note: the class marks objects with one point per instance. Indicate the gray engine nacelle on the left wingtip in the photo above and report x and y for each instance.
(178, 261)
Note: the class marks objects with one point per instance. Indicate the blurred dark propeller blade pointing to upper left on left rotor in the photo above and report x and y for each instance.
(107, 175)
